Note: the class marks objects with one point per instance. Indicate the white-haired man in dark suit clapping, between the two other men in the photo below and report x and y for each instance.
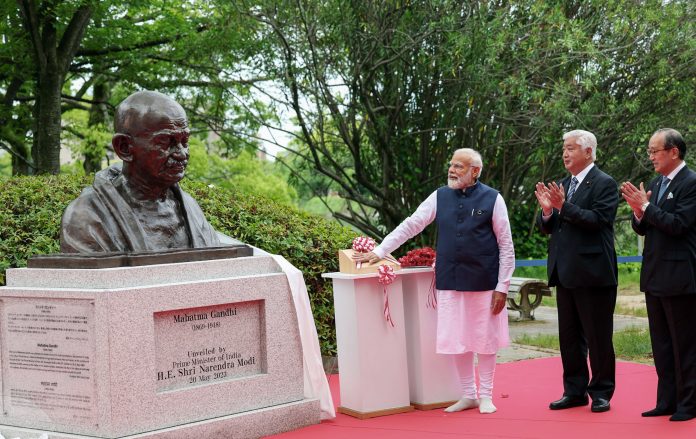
(578, 212)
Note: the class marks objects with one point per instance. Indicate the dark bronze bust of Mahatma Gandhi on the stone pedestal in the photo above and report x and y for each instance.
(139, 207)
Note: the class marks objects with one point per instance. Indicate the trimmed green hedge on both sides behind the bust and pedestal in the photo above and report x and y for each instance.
(31, 208)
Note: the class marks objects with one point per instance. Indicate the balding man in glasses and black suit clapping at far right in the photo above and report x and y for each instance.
(666, 215)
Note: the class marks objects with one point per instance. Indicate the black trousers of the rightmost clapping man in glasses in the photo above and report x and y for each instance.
(673, 339)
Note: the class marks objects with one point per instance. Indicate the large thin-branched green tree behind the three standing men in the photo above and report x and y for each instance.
(394, 87)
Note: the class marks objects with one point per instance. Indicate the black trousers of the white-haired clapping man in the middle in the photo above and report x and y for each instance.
(586, 321)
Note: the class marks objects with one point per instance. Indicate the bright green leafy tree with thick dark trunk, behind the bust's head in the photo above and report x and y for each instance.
(68, 54)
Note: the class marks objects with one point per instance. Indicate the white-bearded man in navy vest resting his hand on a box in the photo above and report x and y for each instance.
(475, 261)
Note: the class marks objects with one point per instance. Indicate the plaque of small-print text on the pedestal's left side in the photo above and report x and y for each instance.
(48, 360)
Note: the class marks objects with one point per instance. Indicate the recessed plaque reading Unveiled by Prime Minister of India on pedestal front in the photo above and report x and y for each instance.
(199, 346)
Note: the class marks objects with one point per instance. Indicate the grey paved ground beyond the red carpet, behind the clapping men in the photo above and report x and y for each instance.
(546, 322)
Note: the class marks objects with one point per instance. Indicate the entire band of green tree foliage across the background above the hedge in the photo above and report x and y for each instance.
(367, 99)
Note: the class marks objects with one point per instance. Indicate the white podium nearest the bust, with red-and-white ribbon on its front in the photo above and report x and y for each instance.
(372, 363)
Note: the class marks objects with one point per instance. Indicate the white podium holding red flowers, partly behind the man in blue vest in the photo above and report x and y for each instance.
(433, 379)
